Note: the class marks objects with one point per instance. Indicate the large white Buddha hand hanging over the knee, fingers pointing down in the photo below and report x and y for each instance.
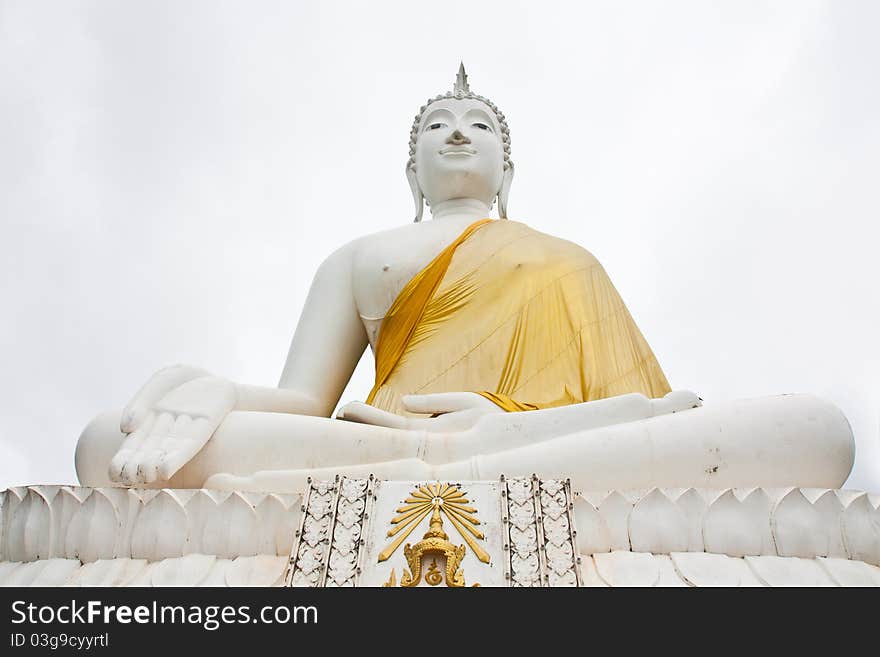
(168, 421)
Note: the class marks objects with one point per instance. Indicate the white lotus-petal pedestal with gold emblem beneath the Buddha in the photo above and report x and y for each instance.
(510, 532)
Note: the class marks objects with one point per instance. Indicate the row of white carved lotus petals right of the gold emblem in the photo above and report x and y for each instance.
(738, 522)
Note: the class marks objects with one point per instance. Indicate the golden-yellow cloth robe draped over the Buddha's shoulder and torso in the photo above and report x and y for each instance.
(525, 319)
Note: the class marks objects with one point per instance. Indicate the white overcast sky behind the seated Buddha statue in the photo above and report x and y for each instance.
(172, 173)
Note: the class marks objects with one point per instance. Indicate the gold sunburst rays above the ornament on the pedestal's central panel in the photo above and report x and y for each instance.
(446, 499)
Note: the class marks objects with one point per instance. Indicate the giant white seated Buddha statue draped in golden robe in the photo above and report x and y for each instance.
(498, 350)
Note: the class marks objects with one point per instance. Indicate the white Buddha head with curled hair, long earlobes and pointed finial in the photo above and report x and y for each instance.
(459, 147)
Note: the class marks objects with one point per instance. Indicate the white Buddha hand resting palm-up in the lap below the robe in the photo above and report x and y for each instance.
(449, 411)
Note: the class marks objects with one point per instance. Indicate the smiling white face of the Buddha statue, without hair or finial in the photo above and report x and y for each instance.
(459, 151)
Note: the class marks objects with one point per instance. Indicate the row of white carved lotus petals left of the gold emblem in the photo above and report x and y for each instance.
(88, 524)
